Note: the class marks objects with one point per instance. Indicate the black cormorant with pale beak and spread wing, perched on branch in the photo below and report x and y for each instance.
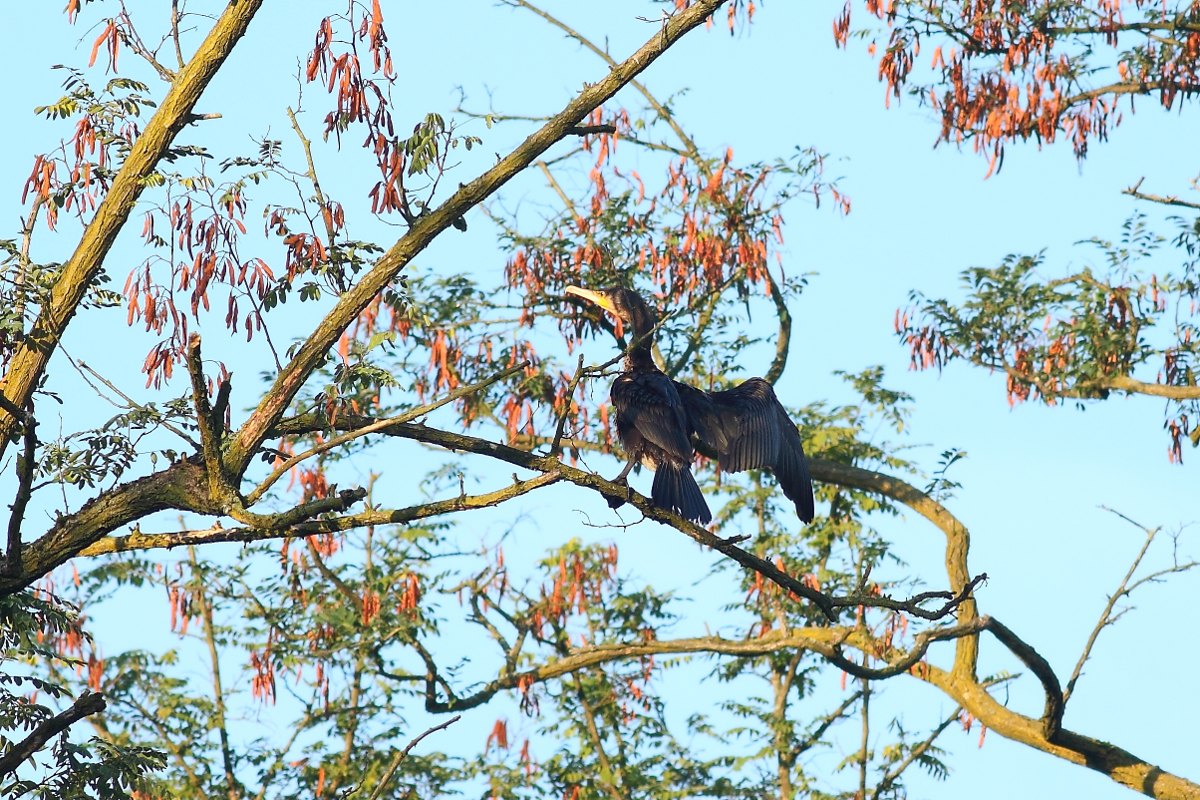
(745, 428)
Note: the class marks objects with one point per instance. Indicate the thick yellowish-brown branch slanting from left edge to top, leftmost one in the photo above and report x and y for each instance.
(33, 354)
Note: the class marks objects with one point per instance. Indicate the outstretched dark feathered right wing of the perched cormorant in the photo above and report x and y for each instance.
(747, 428)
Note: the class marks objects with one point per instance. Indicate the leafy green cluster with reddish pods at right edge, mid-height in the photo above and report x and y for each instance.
(1126, 323)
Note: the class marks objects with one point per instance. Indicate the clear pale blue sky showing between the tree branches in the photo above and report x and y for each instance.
(1035, 478)
